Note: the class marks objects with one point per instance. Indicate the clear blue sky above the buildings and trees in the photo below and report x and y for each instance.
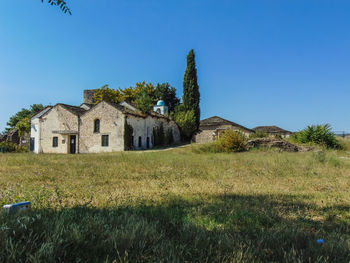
(262, 62)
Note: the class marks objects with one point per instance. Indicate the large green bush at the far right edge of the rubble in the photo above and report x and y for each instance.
(318, 134)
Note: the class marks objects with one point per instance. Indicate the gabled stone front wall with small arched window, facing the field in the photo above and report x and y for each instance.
(111, 124)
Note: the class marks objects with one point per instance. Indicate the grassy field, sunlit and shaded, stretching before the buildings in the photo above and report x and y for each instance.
(179, 205)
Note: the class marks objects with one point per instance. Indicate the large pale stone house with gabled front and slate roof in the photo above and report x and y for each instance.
(96, 128)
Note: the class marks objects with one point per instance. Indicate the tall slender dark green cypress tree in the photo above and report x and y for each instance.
(191, 94)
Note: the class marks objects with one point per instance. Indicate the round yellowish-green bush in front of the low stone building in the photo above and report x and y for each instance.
(231, 141)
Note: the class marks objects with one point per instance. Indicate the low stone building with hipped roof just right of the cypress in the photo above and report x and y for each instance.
(211, 128)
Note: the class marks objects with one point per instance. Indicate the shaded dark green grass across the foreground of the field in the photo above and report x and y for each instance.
(230, 228)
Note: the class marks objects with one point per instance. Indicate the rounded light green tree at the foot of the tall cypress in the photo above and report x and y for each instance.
(186, 120)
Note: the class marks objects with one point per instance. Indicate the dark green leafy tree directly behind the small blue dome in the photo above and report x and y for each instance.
(167, 93)
